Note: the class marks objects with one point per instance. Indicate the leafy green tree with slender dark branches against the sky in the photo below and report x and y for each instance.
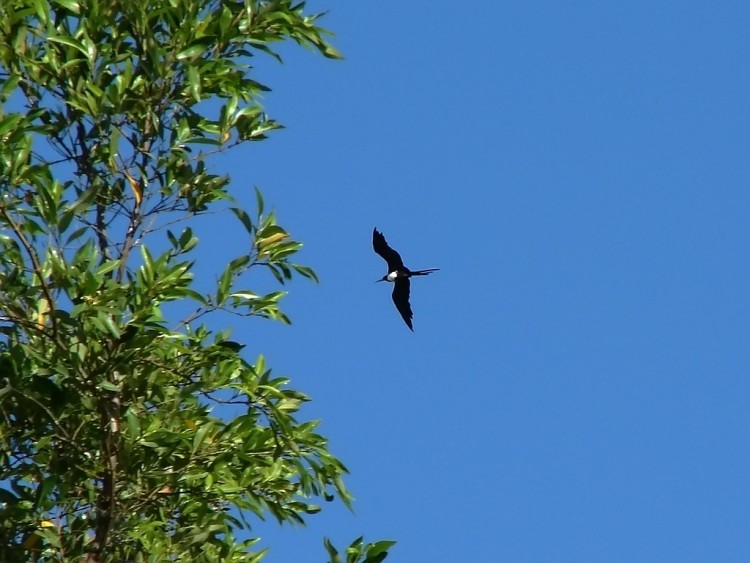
(109, 450)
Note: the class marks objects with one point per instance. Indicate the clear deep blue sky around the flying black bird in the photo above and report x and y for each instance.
(577, 388)
